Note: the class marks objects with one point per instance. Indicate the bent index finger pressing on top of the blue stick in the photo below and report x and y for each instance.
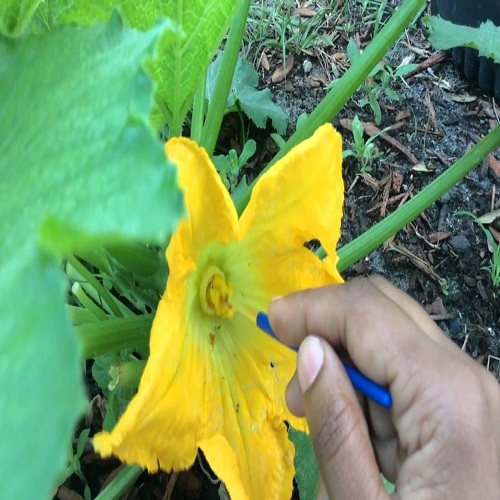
(379, 336)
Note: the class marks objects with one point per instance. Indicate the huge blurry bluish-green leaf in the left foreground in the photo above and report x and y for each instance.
(79, 166)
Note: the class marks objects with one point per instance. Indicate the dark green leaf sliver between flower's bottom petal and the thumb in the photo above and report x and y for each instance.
(306, 468)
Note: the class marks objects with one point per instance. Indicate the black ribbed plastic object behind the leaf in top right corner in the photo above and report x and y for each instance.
(472, 13)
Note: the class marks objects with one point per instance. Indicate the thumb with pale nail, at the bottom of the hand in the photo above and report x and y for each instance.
(339, 431)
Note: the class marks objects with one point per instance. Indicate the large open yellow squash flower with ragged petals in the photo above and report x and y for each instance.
(213, 381)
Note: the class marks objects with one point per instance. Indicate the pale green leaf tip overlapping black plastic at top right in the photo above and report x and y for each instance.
(446, 35)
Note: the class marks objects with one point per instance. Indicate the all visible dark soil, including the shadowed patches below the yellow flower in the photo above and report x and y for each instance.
(442, 266)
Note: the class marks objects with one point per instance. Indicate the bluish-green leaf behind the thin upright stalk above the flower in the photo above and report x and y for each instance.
(256, 104)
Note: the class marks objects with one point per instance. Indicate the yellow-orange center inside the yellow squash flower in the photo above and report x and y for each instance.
(215, 292)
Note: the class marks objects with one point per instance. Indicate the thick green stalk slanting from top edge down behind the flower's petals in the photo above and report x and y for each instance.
(345, 87)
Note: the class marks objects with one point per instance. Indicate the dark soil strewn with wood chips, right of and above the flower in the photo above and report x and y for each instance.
(438, 131)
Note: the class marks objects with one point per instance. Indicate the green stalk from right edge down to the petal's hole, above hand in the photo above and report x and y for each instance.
(361, 246)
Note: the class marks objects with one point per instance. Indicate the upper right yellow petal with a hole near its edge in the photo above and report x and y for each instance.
(299, 199)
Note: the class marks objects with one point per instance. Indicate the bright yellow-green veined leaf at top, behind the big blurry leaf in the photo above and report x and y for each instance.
(182, 60)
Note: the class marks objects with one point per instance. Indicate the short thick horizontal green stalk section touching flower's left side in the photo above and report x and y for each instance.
(112, 335)
